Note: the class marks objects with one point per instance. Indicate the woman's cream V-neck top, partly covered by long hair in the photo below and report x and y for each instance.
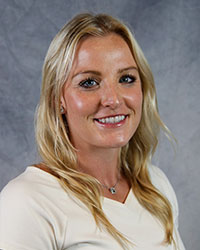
(37, 214)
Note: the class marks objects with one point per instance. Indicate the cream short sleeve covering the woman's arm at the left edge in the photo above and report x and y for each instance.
(24, 223)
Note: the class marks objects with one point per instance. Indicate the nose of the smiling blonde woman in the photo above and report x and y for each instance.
(111, 96)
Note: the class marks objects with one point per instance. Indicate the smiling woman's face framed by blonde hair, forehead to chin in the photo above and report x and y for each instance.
(102, 97)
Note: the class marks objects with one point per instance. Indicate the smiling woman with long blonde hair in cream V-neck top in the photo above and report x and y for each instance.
(97, 127)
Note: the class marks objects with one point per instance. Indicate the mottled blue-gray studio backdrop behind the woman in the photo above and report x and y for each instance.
(168, 32)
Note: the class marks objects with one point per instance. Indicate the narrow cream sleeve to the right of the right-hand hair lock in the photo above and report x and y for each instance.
(161, 182)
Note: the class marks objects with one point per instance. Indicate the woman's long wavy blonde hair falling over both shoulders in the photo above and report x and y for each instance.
(52, 138)
